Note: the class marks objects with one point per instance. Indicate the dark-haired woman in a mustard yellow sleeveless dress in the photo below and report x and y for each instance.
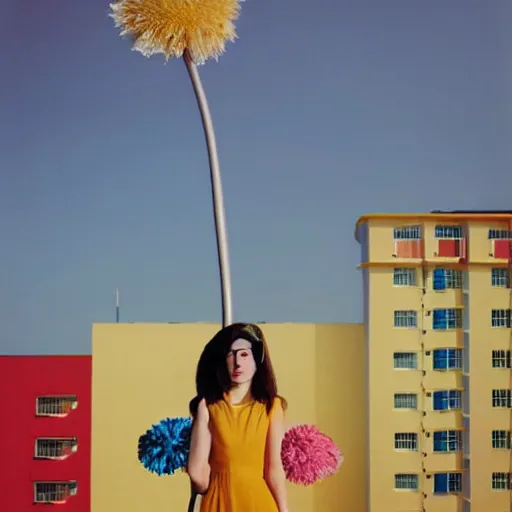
(235, 450)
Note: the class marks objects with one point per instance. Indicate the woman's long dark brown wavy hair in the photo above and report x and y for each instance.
(212, 376)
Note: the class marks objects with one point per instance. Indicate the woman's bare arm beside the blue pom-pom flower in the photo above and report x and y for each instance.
(198, 467)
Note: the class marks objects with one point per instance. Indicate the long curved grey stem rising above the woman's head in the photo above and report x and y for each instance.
(217, 195)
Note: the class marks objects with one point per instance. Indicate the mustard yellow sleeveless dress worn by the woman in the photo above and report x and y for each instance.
(239, 434)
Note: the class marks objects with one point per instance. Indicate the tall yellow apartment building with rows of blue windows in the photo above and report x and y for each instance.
(437, 315)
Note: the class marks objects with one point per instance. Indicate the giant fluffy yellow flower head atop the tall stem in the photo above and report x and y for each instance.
(202, 27)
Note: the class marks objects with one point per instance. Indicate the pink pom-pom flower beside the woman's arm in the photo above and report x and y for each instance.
(309, 456)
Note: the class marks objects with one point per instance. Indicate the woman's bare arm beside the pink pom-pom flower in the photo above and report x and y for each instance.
(274, 472)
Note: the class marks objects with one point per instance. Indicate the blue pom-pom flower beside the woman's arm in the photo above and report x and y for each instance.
(164, 448)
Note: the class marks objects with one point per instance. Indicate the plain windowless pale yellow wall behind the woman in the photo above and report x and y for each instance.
(145, 372)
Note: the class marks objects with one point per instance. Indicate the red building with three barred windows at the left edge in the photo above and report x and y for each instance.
(45, 432)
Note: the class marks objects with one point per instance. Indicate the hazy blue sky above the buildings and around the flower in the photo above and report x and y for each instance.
(323, 111)
